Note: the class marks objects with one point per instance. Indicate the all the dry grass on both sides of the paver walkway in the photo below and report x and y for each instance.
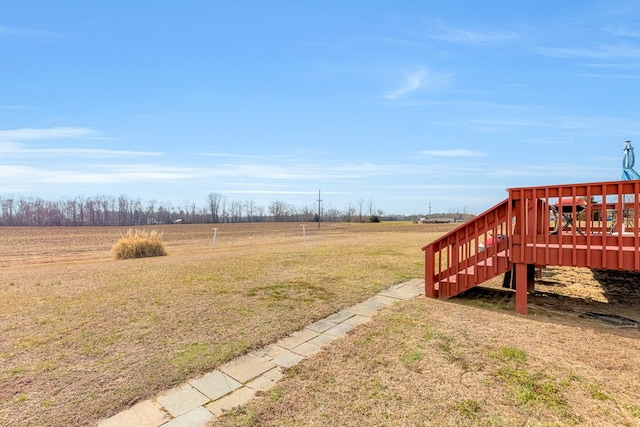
(85, 336)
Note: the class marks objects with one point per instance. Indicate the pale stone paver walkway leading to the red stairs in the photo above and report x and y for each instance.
(198, 400)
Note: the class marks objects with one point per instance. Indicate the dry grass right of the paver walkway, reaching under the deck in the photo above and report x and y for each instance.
(471, 361)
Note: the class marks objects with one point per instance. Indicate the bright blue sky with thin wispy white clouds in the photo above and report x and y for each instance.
(405, 104)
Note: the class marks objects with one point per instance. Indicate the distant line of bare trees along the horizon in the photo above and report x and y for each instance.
(126, 211)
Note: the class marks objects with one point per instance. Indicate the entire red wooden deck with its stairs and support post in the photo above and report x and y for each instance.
(597, 227)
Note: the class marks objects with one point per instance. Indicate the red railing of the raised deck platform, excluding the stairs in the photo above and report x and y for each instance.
(591, 225)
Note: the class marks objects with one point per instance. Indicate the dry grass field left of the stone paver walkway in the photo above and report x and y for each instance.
(85, 336)
